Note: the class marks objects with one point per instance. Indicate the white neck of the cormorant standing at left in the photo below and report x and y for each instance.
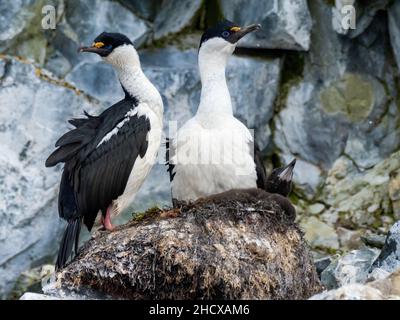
(137, 85)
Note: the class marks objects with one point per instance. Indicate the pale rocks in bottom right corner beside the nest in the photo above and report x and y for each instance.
(364, 274)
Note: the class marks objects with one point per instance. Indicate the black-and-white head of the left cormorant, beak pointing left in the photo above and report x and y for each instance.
(114, 48)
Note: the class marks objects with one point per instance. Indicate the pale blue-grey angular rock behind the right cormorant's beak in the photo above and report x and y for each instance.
(285, 24)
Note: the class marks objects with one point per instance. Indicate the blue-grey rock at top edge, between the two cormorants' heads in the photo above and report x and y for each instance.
(174, 16)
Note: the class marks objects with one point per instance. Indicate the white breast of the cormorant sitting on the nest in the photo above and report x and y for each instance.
(212, 157)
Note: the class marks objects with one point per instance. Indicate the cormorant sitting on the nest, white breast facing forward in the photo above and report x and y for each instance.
(213, 151)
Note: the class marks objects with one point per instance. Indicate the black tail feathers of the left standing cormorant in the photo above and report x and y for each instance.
(70, 239)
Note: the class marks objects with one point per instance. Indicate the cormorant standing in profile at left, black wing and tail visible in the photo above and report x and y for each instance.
(107, 157)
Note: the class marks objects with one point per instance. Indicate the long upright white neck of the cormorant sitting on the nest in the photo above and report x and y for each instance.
(215, 97)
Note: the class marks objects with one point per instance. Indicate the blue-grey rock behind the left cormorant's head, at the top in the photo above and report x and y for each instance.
(78, 27)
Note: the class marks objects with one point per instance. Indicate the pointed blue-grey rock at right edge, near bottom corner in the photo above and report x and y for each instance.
(389, 258)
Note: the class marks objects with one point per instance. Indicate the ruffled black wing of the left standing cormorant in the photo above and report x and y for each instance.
(96, 173)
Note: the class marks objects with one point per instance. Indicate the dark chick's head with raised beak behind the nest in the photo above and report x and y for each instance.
(280, 180)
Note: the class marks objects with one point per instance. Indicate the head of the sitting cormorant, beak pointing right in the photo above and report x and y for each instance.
(223, 37)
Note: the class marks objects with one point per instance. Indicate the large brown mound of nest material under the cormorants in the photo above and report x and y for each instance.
(237, 245)
